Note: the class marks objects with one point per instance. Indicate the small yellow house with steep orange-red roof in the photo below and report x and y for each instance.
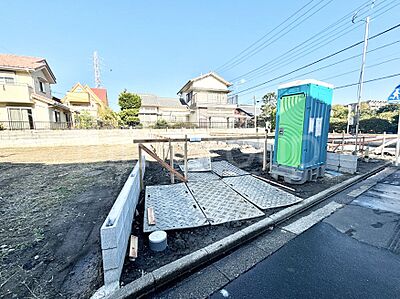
(84, 98)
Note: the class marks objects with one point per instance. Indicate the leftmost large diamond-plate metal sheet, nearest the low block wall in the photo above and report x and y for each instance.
(174, 208)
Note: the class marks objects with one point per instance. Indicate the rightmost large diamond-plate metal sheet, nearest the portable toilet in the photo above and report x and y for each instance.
(260, 193)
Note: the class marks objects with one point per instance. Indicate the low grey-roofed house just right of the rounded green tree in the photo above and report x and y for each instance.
(154, 108)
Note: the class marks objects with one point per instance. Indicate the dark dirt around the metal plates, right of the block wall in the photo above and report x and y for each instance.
(183, 242)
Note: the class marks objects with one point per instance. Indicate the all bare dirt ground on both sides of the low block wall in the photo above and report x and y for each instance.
(54, 200)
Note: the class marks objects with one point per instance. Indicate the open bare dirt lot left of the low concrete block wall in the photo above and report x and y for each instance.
(51, 216)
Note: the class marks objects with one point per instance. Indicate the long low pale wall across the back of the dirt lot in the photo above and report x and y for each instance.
(38, 138)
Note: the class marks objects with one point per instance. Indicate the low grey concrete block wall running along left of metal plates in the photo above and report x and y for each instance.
(116, 229)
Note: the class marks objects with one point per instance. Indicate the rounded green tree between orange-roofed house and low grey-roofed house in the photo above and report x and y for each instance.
(130, 104)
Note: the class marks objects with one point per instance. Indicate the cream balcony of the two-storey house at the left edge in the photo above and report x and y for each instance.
(15, 93)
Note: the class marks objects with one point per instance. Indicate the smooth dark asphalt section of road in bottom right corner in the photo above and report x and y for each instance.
(321, 263)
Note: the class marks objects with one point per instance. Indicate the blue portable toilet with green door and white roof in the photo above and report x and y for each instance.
(301, 134)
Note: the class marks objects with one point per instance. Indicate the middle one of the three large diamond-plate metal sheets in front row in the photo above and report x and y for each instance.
(220, 203)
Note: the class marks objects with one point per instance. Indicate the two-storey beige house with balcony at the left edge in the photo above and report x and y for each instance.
(25, 95)
